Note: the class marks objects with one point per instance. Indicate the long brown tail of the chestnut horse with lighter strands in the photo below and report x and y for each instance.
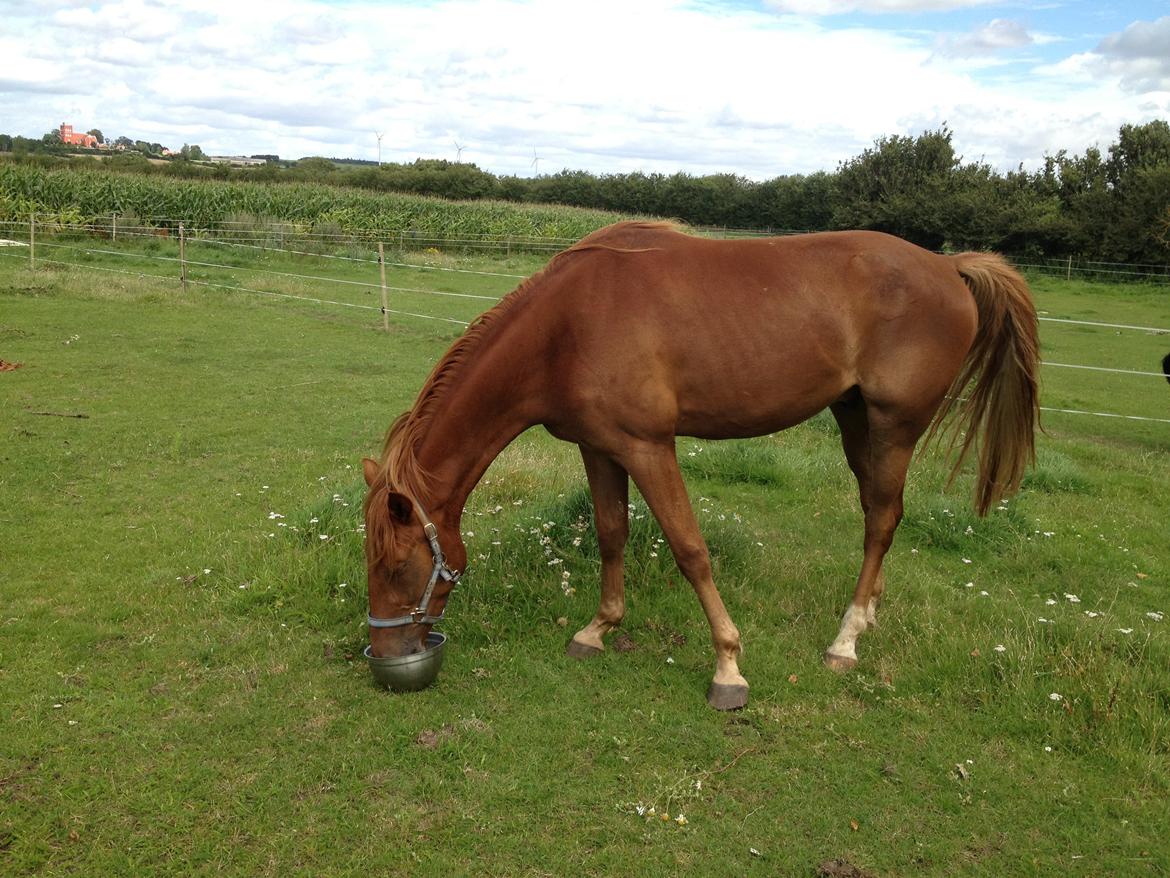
(1001, 409)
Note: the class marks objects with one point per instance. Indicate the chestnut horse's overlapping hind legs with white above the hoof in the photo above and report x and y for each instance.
(879, 448)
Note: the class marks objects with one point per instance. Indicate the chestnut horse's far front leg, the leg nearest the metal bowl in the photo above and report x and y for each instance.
(610, 486)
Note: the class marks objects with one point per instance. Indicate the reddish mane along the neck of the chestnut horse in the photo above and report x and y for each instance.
(401, 467)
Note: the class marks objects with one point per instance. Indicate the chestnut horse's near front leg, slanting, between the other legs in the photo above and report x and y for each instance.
(656, 472)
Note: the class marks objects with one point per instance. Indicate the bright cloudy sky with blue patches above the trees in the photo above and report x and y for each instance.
(756, 88)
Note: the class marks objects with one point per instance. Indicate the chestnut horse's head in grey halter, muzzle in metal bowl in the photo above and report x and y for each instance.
(409, 578)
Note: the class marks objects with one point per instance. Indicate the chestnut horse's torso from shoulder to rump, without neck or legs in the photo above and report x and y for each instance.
(749, 337)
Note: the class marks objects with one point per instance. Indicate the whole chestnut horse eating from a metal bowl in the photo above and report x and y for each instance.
(639, 334)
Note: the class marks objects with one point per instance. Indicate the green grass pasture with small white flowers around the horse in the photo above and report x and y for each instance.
(183, 603)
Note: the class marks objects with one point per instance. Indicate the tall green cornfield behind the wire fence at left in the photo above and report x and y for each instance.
(87, 196)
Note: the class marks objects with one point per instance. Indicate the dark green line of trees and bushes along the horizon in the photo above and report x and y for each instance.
(1111, 205)
